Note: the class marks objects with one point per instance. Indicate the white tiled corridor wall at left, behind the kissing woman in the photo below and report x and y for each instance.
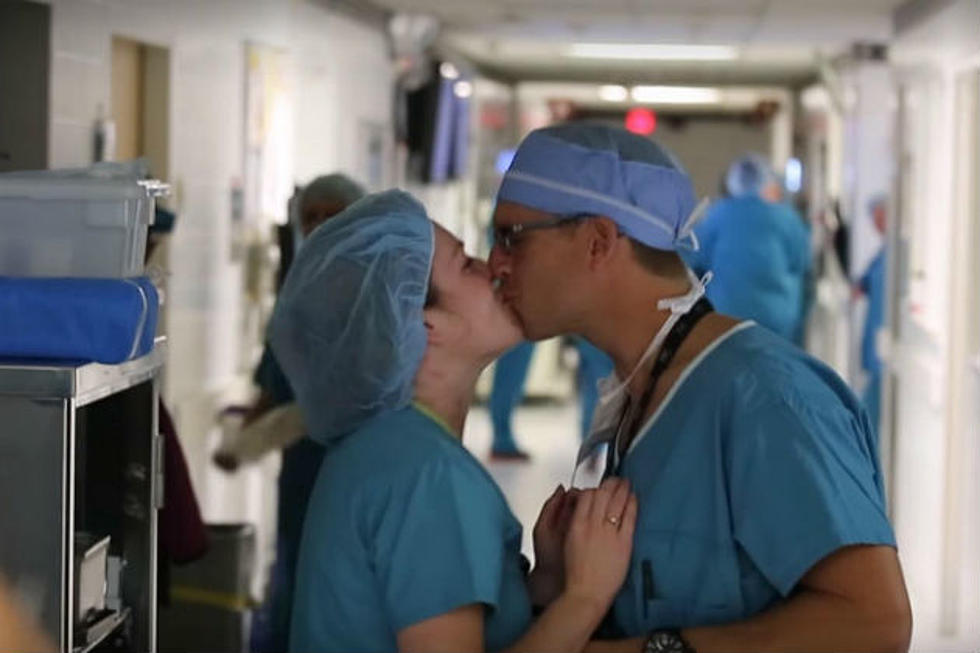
(341, 77)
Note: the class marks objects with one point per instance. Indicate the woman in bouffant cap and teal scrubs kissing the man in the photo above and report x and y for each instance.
(383, 326)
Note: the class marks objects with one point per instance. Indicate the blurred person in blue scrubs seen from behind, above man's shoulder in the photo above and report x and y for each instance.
(757, 248)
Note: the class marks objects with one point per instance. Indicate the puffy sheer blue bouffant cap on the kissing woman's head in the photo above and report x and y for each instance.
(348, 328)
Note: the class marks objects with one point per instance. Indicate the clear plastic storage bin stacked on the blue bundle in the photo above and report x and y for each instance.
(55, 225)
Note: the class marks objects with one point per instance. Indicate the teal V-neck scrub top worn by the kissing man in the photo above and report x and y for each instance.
(759, 463)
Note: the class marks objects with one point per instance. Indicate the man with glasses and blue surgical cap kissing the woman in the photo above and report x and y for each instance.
(762, 514)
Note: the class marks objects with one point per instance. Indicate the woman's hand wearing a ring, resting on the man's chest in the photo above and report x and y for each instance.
(600, 541)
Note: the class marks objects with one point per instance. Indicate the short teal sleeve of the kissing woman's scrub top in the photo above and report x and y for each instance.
(440, 544)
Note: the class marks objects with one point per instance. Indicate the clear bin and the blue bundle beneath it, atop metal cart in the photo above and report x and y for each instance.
(72, 247)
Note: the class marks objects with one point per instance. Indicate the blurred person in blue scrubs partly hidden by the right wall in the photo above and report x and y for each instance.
(872, 284)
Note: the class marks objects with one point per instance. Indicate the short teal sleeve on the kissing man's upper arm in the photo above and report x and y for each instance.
(802, 484)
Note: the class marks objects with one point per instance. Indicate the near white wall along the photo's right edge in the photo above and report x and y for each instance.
(936, 494)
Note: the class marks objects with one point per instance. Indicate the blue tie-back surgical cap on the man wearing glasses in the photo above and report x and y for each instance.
(597, 169)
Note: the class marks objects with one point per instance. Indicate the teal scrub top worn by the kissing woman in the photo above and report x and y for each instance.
(404, 524)
